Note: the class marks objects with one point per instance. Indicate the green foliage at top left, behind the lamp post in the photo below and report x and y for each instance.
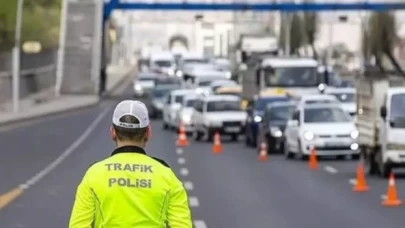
(41, 20)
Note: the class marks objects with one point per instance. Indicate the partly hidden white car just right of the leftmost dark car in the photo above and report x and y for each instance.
(172, 104)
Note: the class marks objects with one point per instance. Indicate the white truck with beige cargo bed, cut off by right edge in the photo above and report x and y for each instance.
(380, 122)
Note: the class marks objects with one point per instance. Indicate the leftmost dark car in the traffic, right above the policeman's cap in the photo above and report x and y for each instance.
(157, 98)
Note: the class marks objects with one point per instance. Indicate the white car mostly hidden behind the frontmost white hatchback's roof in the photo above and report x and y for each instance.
(347, 96)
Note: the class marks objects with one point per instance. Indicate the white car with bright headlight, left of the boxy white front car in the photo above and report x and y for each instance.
(185, 112)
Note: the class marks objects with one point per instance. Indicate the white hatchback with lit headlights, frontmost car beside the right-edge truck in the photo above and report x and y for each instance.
(326, 127)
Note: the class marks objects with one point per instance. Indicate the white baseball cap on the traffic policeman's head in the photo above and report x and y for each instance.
(136, 109)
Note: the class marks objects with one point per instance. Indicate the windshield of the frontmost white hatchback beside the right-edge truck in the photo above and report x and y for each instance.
(326, 115)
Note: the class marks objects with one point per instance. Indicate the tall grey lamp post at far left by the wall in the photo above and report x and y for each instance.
(16, 57)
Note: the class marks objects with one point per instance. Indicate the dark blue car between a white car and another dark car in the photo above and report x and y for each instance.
(255, 111)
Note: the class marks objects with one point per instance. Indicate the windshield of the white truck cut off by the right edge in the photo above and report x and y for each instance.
(397, 115)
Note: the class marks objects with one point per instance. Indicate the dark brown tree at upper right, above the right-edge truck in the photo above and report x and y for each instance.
(381, 39)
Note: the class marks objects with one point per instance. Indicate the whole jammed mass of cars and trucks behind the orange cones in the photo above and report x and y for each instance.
(288, 105)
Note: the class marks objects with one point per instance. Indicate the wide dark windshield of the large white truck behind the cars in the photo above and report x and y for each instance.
(291, 77)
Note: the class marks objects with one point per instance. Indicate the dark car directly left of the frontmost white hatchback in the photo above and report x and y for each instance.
(271, 128)
